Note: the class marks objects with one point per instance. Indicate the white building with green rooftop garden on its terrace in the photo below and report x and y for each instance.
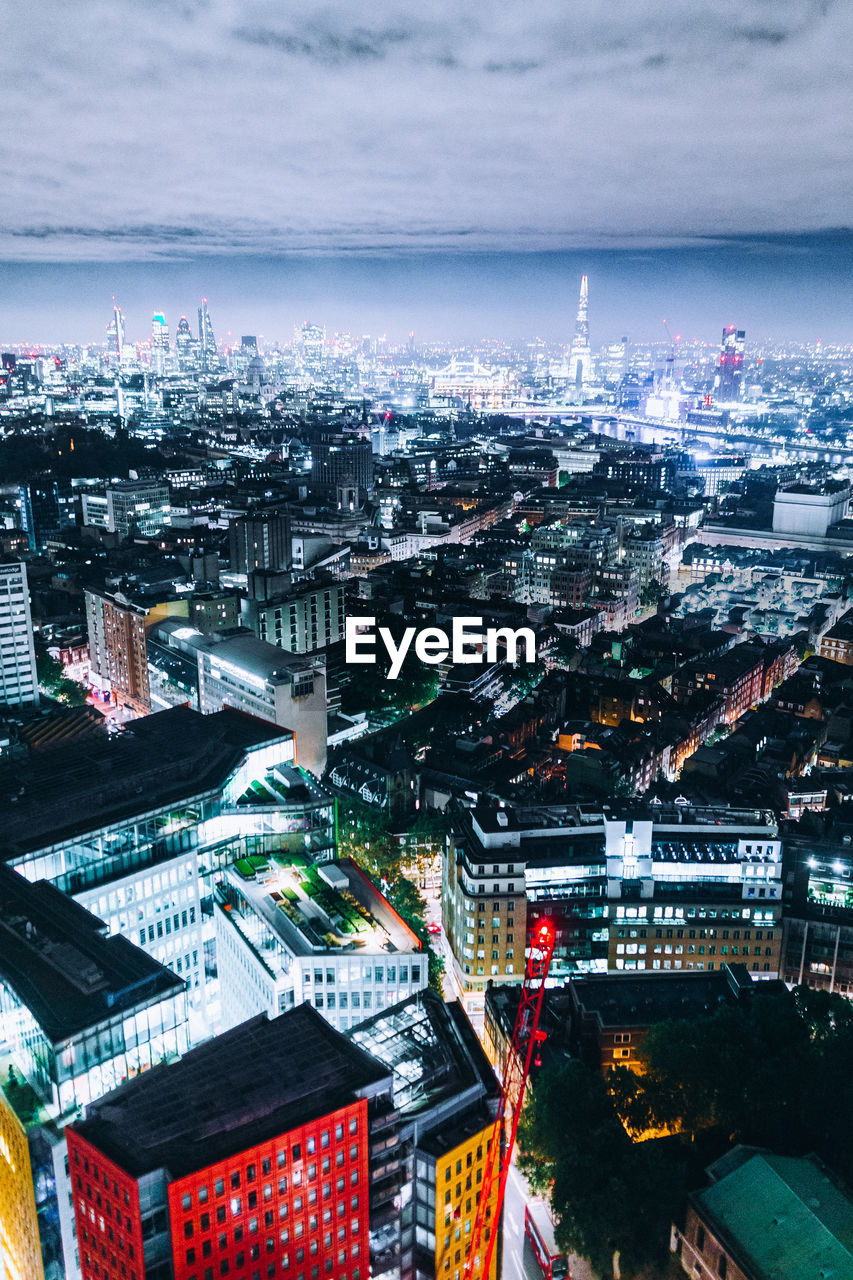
(290, 932)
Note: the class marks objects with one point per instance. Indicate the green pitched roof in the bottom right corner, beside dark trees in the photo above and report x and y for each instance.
(783, 1217)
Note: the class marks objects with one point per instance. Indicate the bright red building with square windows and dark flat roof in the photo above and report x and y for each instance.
(253, 1149)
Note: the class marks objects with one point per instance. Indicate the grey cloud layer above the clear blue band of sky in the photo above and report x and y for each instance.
(183, 131)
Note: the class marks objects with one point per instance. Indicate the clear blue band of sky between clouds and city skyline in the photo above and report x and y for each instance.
(792, 291)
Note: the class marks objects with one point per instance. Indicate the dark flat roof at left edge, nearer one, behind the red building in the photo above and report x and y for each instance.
(61, 963)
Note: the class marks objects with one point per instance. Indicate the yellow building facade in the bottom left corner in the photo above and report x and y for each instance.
(20, 1252)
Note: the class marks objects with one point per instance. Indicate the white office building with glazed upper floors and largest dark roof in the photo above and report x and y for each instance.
(138, 828)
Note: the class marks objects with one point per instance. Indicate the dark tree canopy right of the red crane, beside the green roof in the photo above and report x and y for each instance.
(774, 1071)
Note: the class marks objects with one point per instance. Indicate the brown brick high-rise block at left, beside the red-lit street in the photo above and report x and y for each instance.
(117, 648)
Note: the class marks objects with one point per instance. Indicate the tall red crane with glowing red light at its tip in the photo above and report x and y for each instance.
(526, 1037)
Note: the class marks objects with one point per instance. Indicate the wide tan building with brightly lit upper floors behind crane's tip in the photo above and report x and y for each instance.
(682, 889)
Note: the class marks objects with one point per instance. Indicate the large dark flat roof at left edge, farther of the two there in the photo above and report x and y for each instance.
(107, 779)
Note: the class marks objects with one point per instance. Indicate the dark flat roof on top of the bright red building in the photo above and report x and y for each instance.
(243, 1089)
